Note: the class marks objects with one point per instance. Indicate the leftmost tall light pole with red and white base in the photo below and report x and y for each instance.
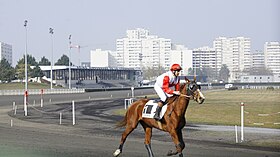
(26, 76)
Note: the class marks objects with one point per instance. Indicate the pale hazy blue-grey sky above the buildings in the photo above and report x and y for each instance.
(98, 23)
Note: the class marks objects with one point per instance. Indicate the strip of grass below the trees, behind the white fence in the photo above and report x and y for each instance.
(31, 85)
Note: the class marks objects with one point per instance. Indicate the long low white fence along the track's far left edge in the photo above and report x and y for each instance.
(39, 91)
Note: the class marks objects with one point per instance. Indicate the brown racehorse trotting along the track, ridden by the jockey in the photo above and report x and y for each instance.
(172, 122)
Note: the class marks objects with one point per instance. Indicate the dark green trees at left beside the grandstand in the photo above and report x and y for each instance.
(9, 73)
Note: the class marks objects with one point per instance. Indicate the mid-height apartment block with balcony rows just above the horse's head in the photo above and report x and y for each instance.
(205, 57)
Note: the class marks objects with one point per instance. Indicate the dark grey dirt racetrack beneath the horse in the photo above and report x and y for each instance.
(94, 135)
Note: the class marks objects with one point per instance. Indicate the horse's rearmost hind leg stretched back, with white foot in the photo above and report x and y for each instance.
(129, 128)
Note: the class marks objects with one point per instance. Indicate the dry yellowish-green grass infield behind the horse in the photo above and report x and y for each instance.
(262, 108)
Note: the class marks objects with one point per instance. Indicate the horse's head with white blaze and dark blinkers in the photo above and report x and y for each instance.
(193, 90)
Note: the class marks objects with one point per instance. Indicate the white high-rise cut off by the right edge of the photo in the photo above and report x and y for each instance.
(272, 57)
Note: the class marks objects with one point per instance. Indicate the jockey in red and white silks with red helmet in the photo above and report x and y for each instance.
(163, 84)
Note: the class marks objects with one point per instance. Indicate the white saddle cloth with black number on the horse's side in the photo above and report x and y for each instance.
(150, 109)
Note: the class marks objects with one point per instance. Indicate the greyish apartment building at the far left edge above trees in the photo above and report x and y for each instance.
(6, 52)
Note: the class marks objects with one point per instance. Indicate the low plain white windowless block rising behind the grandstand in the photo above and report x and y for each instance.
(99, 58)
